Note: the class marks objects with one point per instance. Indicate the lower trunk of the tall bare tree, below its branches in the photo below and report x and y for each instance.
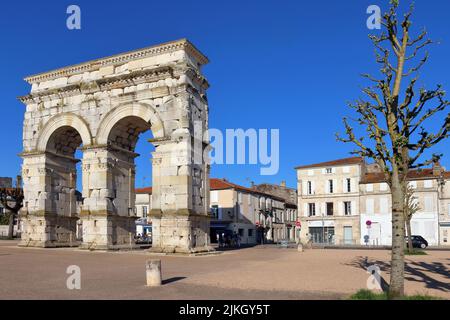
(396, 287)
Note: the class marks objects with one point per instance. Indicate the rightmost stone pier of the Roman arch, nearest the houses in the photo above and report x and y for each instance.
(180, 221)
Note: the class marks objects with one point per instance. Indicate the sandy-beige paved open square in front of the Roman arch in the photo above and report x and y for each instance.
(253, 273)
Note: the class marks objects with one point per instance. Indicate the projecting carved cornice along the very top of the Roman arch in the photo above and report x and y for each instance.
(95, 65)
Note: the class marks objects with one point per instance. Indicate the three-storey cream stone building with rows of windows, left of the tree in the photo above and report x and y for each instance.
(328, 201)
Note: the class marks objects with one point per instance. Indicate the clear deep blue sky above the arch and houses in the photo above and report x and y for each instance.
(288, 65)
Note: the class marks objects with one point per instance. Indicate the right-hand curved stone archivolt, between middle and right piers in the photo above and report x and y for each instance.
(141, 110)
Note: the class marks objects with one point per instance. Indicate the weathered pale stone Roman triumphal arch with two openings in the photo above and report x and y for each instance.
(100, 107)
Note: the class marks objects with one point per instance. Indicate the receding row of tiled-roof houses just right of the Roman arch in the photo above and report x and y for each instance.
(257, 216)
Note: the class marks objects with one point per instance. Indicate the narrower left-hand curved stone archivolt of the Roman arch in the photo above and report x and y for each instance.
(64, 120)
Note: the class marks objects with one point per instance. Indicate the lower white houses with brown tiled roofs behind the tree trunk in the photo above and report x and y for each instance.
(376, 206)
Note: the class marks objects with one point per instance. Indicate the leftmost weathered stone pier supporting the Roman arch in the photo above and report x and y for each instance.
(49, 214)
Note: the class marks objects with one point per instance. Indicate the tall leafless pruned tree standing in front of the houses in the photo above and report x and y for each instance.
(394, 121)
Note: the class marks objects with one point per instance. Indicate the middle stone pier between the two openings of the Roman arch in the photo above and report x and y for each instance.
(108, 209)
